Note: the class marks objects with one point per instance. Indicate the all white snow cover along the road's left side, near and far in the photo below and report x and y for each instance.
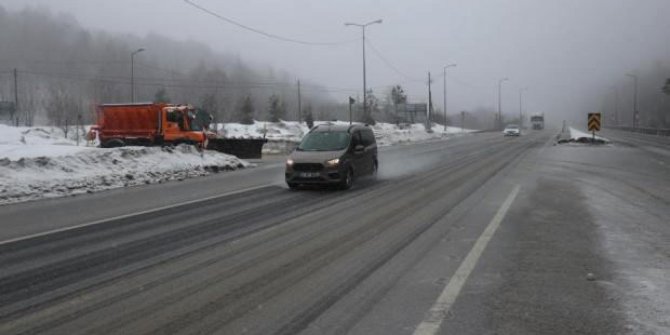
(39, 162)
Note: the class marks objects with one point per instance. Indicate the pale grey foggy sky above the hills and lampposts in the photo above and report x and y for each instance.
(564, 51)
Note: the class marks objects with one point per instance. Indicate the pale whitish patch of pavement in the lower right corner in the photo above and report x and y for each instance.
(630, 233)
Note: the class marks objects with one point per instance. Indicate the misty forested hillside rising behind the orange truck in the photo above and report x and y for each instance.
(62, 70)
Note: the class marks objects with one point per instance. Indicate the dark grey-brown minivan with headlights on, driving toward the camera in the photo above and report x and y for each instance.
(333, 154)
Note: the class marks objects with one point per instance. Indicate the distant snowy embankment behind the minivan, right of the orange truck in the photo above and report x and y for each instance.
(283, 136)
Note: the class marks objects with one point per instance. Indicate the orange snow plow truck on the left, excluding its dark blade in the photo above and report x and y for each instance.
(148, 124)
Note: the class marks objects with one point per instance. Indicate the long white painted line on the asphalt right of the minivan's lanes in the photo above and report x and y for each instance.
(435, 316)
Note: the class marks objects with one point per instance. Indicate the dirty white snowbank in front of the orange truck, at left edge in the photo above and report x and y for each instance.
(40, 162)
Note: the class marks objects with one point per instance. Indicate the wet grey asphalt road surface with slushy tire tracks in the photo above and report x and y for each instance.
(473, 235)
